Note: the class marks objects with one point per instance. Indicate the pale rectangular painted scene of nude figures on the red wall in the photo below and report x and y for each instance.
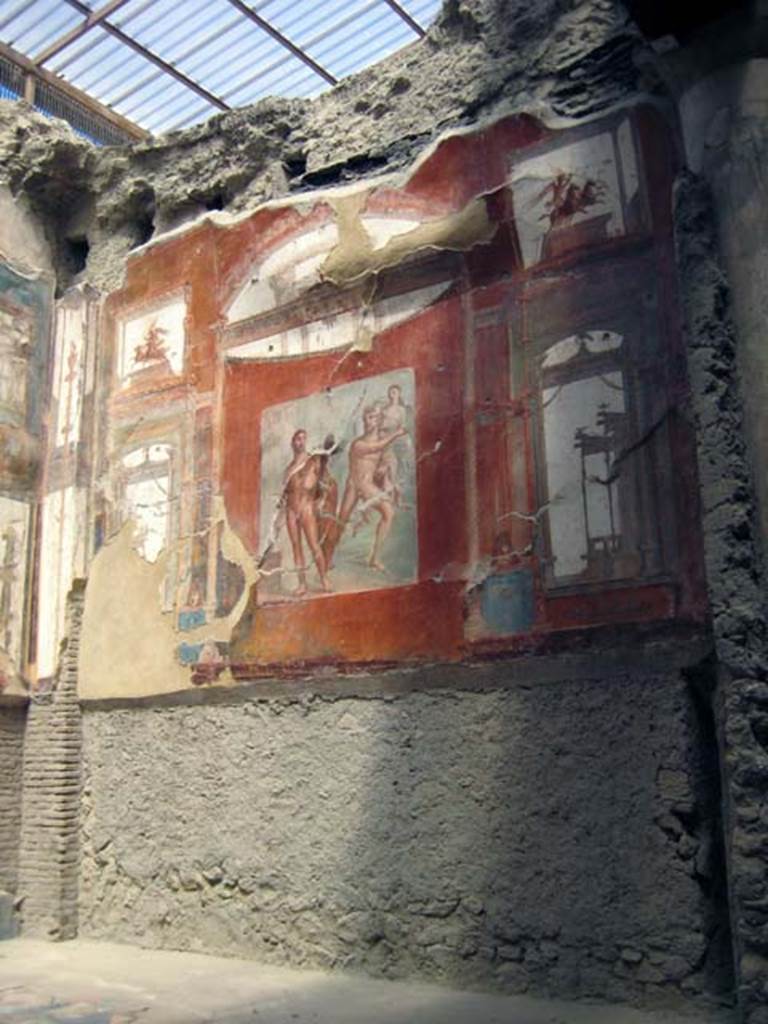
(338, 491)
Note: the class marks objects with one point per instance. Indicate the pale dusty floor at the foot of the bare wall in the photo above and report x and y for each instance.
(104, 984)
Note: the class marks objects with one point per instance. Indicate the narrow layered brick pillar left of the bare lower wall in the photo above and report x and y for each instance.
(51, 803)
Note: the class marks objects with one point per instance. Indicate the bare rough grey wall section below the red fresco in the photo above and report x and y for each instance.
(556, 837)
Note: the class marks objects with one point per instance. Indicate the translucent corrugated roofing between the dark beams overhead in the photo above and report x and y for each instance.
(212, 44)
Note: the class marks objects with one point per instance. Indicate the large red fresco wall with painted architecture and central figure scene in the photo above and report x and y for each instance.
(422, 419)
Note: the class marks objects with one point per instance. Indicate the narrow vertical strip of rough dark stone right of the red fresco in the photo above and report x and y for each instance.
(739, 689)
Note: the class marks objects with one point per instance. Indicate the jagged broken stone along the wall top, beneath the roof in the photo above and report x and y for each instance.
(482, 59)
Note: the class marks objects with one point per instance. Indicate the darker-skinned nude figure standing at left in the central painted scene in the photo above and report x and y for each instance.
(310, 496)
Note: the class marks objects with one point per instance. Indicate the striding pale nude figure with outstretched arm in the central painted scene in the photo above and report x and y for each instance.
(362, 486)
